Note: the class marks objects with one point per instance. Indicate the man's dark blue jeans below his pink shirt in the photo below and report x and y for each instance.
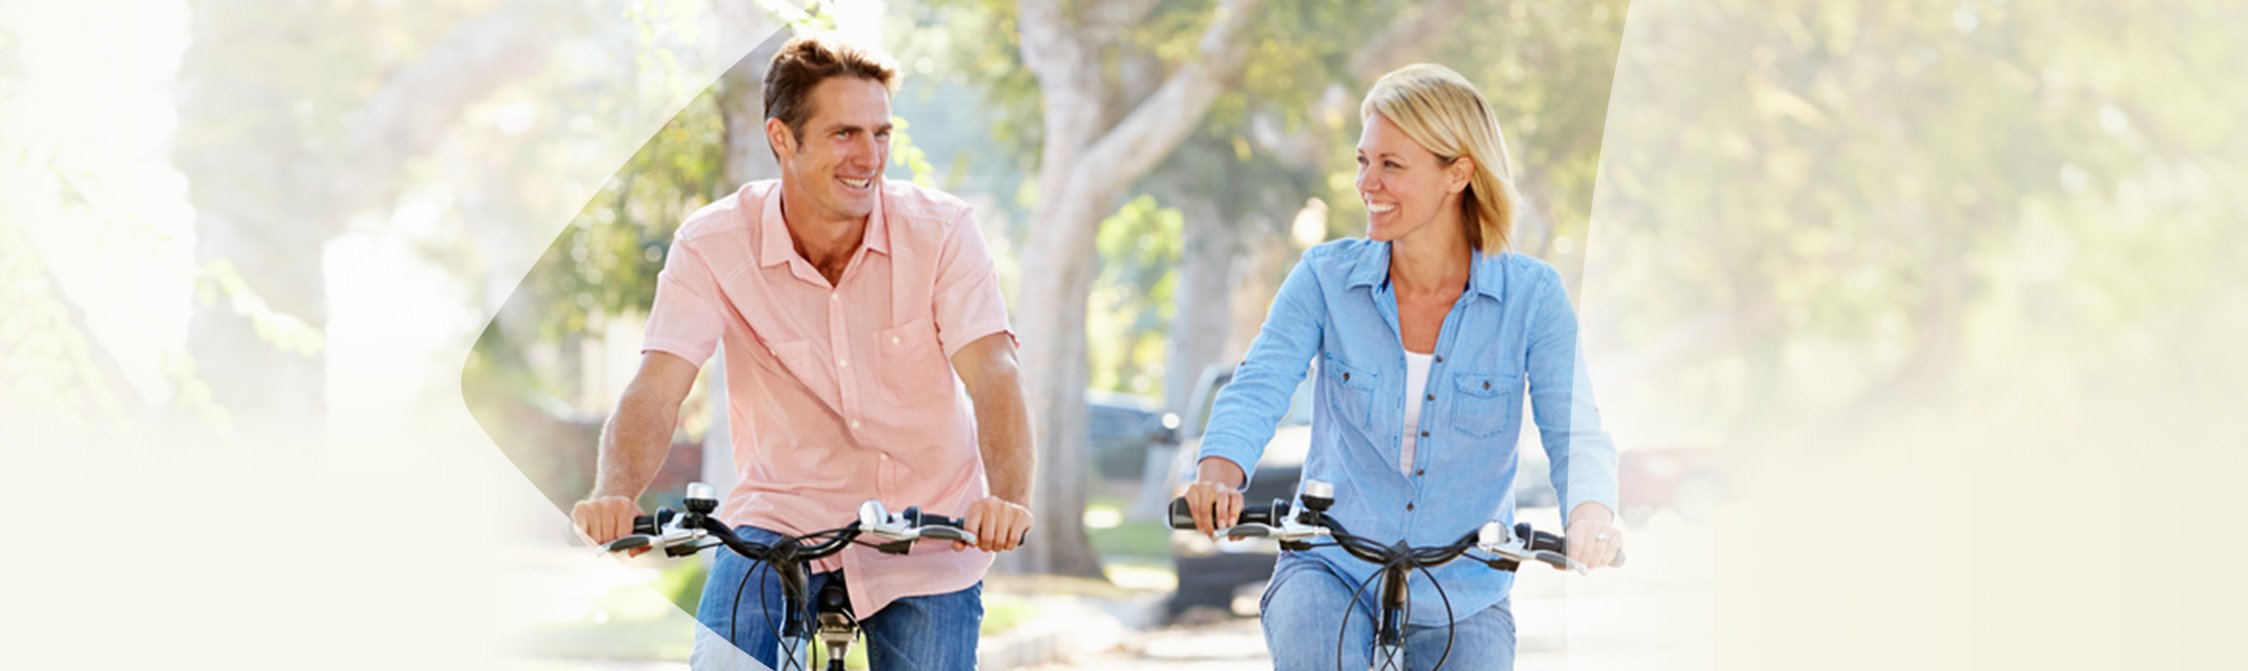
(934, 632)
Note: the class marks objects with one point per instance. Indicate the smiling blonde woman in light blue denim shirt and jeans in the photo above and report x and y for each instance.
(1426, 334)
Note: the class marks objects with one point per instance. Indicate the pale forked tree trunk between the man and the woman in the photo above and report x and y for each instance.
(1085, 168)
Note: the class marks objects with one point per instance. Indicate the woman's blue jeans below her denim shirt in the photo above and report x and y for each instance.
(1303, 614)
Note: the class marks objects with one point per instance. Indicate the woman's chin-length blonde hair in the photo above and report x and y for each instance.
(1447, 116)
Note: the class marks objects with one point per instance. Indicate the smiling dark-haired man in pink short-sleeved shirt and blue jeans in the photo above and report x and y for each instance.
(853, 314)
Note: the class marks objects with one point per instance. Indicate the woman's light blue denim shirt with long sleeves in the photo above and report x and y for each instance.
(1512, 328)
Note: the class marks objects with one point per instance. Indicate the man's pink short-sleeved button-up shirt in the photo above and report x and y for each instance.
(842, 393)
